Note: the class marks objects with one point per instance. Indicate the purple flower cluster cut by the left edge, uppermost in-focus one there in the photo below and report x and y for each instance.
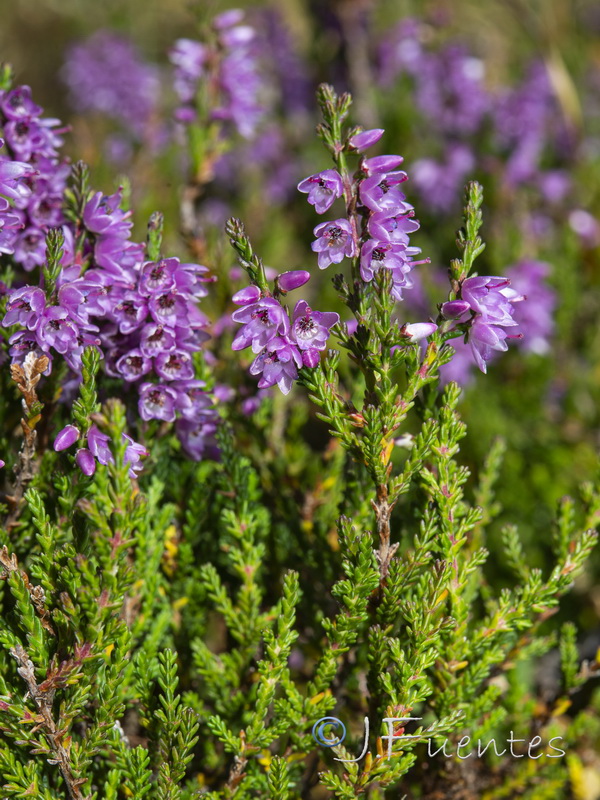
(32, 139)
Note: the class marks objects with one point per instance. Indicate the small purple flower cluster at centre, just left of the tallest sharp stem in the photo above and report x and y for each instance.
(281, 345)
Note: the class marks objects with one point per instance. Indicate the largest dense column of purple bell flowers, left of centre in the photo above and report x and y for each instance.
(152, 323)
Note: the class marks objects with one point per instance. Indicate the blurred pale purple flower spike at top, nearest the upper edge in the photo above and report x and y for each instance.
(228, 67)
